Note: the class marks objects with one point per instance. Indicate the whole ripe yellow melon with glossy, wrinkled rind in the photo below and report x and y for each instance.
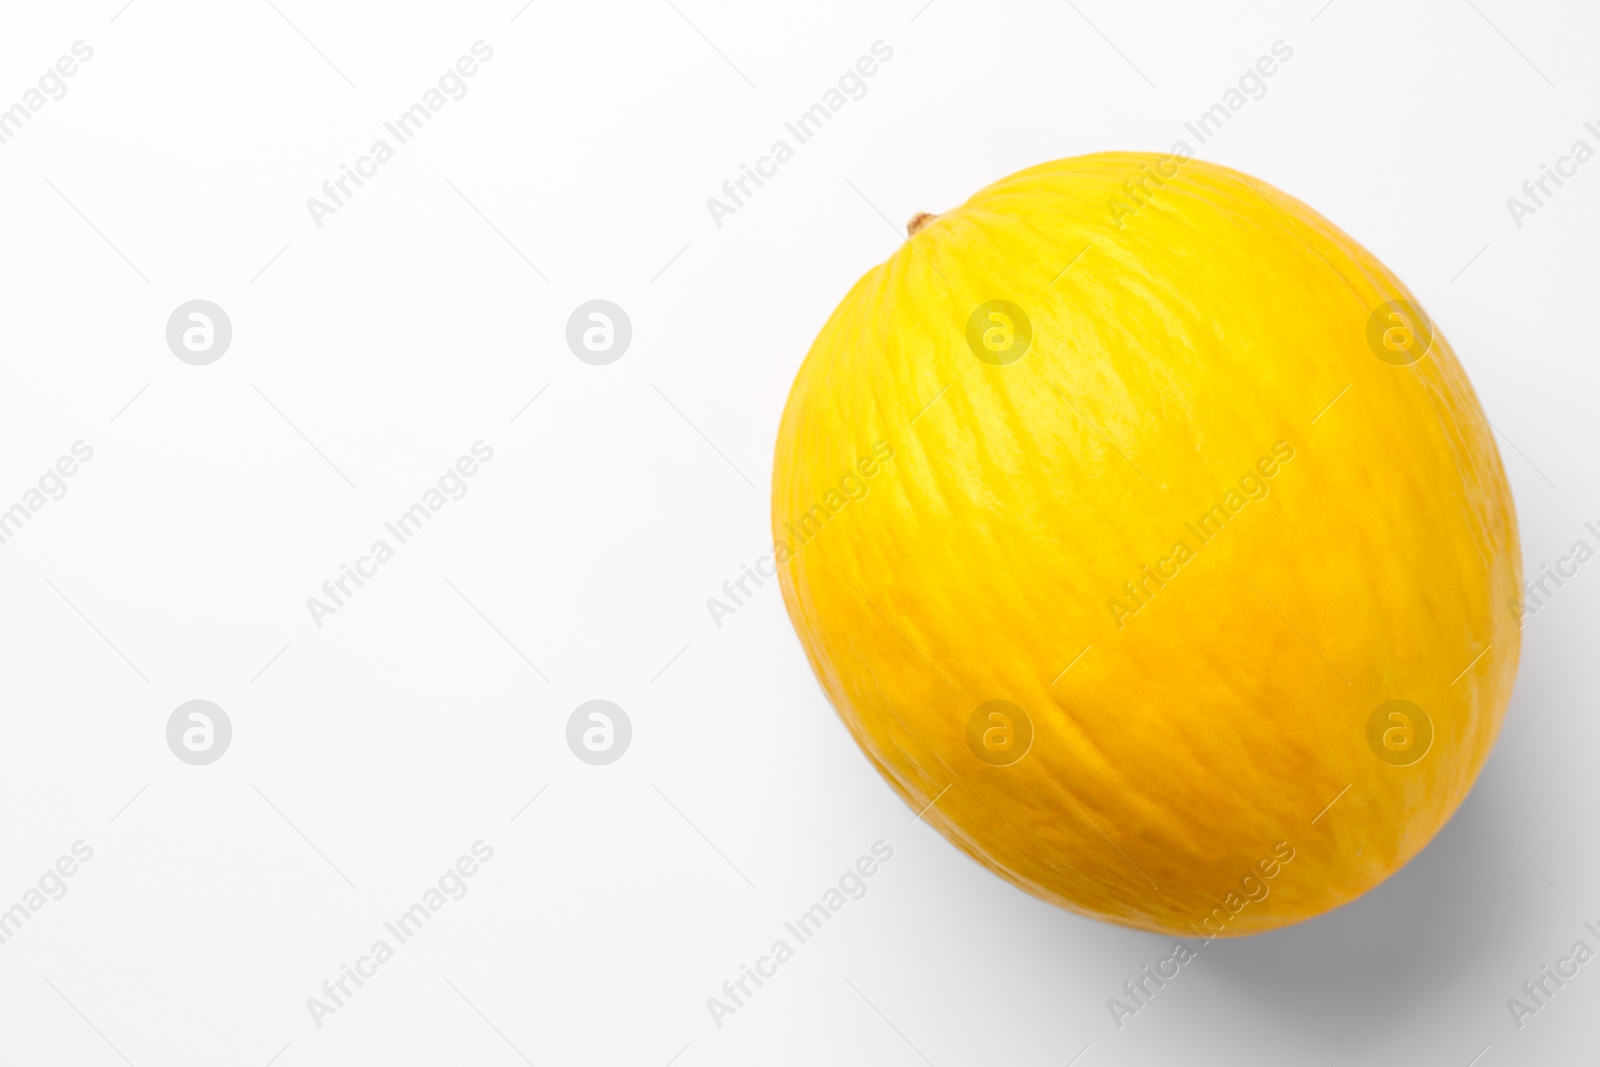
(1186, 593)
